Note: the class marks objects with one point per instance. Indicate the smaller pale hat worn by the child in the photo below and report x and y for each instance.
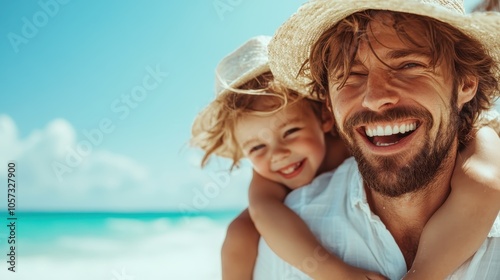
(247, 62)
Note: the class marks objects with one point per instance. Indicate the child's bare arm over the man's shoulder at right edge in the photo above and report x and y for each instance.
(459, 227)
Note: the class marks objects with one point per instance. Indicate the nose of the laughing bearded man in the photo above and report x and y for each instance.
(380, 94)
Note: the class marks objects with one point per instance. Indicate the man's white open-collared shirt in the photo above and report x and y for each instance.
(335, 208)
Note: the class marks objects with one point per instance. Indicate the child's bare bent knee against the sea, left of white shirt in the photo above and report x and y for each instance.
(239, 250)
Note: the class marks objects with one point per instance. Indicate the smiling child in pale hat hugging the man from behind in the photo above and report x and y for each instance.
(288, 139)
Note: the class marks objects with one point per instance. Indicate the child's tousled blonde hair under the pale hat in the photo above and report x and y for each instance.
(213, 130)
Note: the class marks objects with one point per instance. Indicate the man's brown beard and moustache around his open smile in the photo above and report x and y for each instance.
(392, 175)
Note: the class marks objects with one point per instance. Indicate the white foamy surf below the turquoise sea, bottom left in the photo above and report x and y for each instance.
(129, 249)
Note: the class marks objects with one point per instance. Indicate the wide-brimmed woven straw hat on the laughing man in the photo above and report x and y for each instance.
(291, 44)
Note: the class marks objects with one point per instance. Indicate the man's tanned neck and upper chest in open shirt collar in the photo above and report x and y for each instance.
(406, 216)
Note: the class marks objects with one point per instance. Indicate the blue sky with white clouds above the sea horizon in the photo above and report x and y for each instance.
(98, 98)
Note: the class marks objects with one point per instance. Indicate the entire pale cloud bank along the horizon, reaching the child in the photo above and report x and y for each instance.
(58, 171)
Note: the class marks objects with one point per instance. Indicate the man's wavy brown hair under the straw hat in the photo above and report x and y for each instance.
(336, 48)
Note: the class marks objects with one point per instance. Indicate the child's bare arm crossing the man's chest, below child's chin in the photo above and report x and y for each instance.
(290, 238)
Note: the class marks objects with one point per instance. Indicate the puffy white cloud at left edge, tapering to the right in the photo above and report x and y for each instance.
(39, 155)
